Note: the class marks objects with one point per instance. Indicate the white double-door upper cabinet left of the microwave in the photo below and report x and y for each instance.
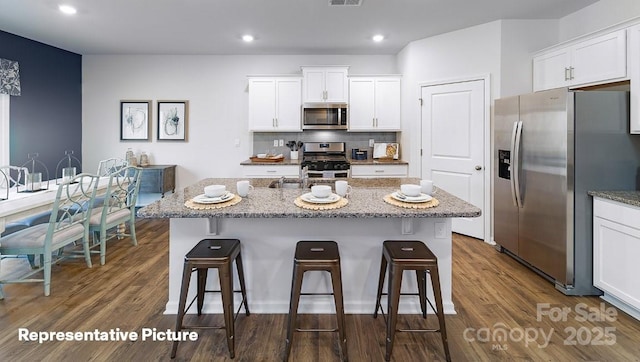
(275, 104)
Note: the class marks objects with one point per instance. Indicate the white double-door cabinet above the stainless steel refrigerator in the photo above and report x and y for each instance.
(596, 60)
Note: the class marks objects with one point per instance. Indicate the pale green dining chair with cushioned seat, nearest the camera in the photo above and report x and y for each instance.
(67, 224)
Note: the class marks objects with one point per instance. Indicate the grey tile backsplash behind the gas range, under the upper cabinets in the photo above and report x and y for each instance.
(263, 141)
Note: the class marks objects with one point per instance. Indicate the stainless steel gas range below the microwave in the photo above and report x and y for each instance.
(325, 160)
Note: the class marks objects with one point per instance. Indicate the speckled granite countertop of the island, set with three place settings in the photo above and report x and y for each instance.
(366, 201)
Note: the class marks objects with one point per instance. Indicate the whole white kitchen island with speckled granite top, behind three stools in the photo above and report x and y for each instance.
(269, 224)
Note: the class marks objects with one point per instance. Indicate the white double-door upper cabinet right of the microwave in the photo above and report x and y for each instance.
(374, 103)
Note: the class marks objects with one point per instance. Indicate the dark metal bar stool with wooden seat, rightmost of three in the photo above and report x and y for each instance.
(403, 255)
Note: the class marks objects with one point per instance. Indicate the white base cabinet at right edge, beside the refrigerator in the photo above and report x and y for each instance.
(616, 247)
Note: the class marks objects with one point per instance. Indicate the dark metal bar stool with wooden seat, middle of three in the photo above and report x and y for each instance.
(316, 255)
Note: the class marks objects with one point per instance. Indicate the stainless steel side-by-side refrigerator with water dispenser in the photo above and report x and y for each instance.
(550, 148)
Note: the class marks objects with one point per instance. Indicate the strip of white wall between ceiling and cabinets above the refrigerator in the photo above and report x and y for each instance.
(597, 16)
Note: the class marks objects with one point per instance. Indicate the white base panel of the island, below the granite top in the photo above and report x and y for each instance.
(268, 247)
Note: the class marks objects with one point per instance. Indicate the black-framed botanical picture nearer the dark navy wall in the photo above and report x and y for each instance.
(135, 120)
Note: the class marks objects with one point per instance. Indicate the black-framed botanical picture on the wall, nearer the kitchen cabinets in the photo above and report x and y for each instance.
(173, 120)
